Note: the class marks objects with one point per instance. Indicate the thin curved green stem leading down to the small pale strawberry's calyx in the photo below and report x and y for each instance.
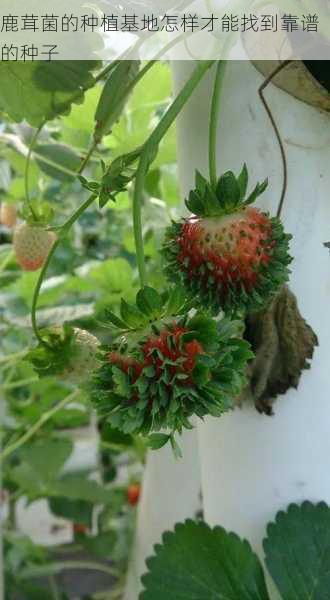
(63, 229)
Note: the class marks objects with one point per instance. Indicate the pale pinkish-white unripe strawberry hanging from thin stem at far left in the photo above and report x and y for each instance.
(32, 245)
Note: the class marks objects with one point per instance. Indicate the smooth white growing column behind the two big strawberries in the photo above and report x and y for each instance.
(246, 466)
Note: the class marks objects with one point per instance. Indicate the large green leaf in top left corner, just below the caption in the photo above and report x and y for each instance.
(40, 90)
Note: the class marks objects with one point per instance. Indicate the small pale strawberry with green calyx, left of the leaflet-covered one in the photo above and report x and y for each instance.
(70, 353)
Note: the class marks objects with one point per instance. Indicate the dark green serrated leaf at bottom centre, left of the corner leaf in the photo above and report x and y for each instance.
(198, 562)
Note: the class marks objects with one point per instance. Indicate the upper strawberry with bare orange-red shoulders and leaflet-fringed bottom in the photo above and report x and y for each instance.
(228, 255)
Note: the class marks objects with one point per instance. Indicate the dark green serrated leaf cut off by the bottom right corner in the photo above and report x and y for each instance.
(297, 551)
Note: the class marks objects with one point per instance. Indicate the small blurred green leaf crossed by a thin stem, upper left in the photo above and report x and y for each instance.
(60, 154)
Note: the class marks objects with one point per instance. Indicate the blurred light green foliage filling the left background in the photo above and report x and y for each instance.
(91, 270)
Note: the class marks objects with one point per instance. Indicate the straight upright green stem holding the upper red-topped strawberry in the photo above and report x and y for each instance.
(214, 120)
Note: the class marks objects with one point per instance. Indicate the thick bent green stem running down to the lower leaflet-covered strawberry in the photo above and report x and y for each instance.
(148, 153)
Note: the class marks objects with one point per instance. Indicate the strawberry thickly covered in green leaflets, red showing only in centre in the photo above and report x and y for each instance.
(168, 365)
